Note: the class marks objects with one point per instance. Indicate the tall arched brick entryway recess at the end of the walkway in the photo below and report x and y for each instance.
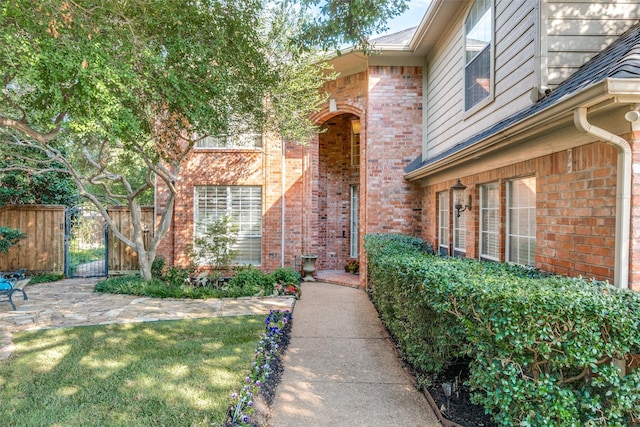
(339, 157)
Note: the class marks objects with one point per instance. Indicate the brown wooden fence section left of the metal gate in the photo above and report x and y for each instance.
(43, 248)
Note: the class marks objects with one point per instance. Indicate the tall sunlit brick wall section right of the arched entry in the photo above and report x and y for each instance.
(393, 140)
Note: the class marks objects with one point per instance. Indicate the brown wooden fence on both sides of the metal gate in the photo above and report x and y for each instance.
(43, 251)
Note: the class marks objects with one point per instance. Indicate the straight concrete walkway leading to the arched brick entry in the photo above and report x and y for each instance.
(341, 369)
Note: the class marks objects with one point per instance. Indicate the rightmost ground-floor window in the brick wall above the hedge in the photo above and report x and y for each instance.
(521, 221)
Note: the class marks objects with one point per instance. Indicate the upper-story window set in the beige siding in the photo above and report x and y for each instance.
(478, 41)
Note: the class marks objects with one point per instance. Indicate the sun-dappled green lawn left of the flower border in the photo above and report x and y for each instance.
(174, 373)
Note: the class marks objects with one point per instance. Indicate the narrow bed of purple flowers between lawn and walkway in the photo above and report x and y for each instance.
(267, 353)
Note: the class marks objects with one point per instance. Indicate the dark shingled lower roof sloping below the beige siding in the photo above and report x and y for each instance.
(621, 59)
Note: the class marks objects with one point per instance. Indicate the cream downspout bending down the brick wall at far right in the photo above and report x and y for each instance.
(623, 193)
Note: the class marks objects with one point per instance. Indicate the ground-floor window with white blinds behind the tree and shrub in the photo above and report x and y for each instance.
(244, 205)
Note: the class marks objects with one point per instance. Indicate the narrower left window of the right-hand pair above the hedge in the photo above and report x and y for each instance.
(490, 221)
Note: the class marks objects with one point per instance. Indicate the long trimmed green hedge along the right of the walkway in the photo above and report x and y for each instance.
(542, 347)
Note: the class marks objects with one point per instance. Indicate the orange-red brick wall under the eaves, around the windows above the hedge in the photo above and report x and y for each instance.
(575, 209)
